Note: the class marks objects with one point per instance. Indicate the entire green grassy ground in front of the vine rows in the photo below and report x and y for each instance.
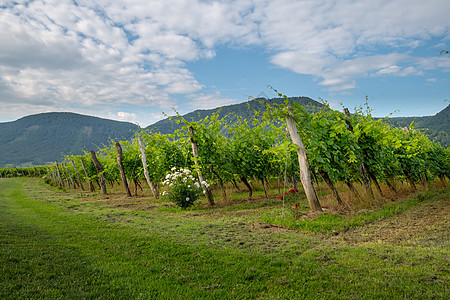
(71, 245)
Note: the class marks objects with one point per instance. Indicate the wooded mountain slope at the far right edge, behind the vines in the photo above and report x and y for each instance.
(436, 127)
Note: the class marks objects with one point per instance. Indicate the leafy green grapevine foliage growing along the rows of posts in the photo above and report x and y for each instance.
(231, 148)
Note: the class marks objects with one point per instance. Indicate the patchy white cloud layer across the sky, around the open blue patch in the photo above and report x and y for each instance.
(64, 54)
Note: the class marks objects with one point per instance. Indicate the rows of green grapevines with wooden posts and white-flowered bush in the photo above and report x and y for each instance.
(334, 149)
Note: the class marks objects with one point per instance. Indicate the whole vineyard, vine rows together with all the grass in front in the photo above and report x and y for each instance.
(289, 205)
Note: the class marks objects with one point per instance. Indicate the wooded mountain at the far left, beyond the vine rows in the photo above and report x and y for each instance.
(42, 138)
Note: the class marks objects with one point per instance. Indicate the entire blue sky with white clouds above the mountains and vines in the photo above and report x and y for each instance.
(132, 60)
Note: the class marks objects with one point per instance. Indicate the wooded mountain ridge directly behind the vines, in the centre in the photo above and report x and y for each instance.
(244, 110)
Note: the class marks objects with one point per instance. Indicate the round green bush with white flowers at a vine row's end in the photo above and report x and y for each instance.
(184, 189)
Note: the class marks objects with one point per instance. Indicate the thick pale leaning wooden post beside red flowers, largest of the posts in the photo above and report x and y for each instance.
(305, 175)
